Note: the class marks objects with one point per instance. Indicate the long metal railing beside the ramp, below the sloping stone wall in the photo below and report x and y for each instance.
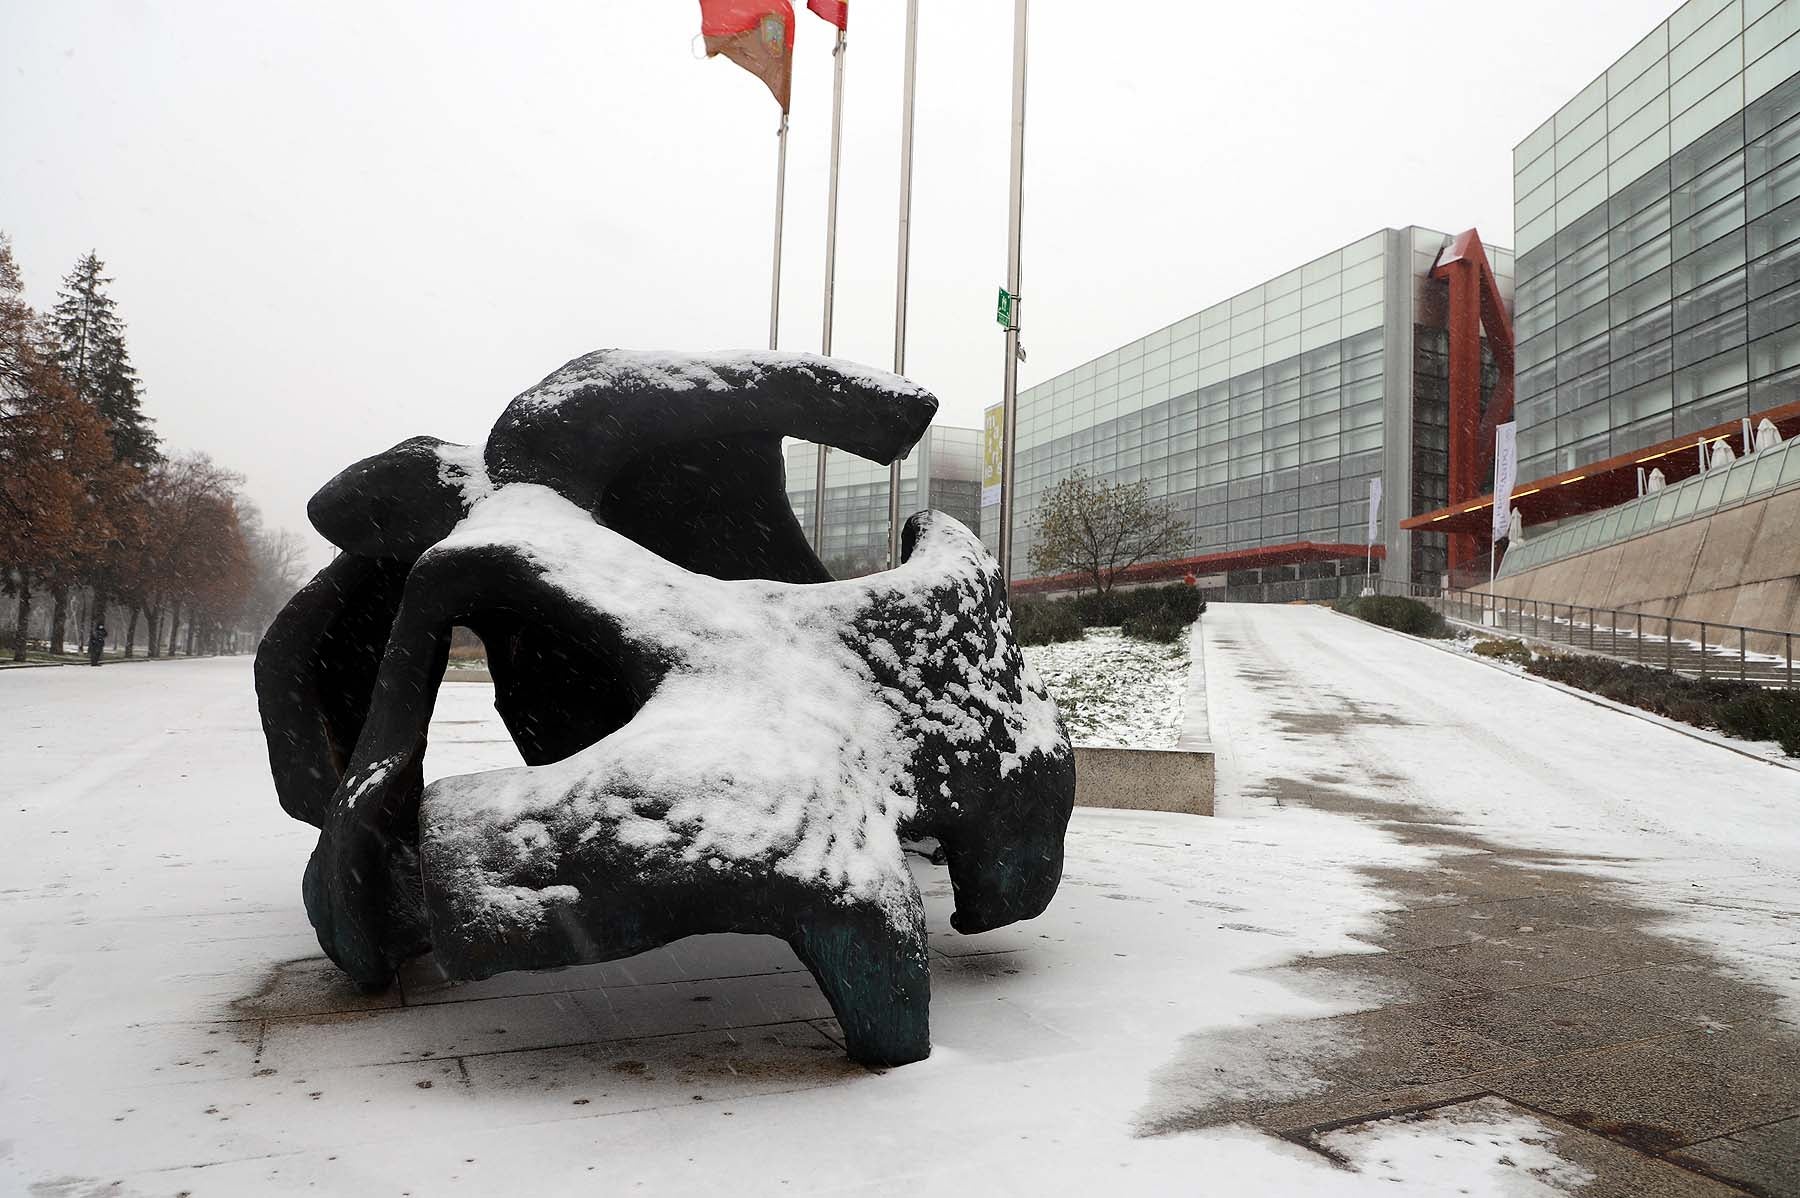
(1684, 647)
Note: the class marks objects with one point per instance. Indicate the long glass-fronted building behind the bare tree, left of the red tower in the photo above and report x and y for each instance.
(1263, 420)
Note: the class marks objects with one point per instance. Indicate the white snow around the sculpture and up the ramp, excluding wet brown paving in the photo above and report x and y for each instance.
(170, 1026)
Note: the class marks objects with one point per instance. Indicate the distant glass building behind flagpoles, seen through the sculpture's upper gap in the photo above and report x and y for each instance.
(856, 494)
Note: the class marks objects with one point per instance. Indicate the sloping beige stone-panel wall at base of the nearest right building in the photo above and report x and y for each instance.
(1738, 568)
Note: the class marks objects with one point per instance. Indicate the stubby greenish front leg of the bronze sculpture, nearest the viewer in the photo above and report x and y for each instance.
(876, 978)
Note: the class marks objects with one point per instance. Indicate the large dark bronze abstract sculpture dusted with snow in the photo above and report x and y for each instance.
(717, 737)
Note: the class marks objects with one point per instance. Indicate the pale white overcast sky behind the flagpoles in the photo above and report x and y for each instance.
(337, 226)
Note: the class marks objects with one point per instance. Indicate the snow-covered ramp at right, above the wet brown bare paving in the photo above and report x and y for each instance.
(1705, 836)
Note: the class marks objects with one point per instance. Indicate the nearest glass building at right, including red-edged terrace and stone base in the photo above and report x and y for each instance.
(1657, 317)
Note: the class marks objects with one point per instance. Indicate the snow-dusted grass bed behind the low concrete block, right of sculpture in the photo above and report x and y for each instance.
(1117, 692)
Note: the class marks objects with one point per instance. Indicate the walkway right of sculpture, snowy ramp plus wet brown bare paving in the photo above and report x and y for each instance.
(1547, 979)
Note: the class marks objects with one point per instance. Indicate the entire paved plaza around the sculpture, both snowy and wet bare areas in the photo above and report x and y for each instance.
(1452, 931)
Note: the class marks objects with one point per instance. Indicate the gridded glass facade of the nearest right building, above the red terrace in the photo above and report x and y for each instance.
(1659, 240)
